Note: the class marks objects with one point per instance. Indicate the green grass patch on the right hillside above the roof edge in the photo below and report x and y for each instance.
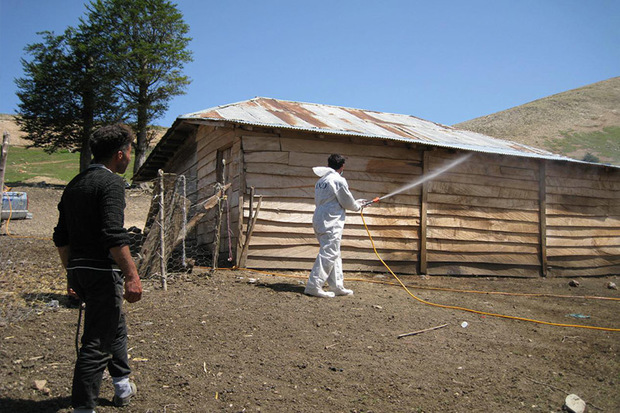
(604, 144)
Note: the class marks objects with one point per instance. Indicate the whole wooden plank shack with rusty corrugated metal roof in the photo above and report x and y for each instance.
(508, 210)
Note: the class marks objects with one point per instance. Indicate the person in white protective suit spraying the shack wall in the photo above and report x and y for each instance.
(332, 197)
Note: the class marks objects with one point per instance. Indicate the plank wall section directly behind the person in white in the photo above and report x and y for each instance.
(280, 169)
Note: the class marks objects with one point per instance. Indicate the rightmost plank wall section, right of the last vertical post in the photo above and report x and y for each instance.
(583, 220)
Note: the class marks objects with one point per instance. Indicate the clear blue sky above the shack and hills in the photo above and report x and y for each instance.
(443, 60)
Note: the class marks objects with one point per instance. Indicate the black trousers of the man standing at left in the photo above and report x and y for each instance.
(104, 341)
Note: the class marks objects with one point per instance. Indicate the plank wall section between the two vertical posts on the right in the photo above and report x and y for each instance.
(483, 216)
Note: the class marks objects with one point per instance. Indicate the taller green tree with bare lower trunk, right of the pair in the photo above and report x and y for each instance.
(145, 42)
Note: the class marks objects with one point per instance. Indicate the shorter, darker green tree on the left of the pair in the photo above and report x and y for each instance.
(65, 92)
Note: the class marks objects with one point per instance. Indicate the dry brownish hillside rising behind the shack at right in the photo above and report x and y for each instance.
(573, 123)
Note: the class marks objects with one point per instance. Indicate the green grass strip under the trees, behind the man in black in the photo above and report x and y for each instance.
(24, 164)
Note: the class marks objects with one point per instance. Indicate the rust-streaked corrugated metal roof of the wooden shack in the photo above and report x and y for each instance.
(329, 119)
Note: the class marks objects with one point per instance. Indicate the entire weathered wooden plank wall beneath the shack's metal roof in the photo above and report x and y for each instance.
(491, 215)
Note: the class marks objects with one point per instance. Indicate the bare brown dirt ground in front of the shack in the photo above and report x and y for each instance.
(239, 341)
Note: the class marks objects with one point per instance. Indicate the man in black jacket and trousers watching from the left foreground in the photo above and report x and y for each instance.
(94, 248)
